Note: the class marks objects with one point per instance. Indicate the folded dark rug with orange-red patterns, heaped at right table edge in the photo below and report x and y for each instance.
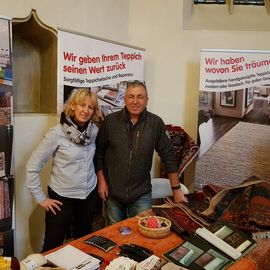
(246, 206)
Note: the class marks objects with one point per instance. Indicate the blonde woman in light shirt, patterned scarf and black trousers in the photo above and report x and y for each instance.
(72, 193)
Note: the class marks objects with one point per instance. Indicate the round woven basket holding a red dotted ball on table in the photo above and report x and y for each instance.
(160, 232)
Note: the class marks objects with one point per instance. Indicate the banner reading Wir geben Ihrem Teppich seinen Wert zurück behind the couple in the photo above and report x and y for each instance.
(103, 66)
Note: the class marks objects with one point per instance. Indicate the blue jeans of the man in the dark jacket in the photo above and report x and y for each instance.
(117, 211)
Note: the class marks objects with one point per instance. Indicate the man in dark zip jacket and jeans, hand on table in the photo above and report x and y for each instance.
(124, 151)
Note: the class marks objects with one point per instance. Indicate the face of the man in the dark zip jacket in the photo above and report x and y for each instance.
(136, 100)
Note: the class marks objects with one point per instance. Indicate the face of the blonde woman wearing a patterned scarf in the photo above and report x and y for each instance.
(83, 112)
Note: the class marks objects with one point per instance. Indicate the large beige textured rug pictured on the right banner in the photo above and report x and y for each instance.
(242, 152)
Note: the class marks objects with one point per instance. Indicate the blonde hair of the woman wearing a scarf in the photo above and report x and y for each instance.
(78, 96)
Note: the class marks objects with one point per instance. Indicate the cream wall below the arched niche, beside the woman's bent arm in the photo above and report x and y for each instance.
(29, 217)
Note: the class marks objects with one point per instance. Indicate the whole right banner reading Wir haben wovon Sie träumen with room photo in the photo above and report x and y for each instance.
(234, 111)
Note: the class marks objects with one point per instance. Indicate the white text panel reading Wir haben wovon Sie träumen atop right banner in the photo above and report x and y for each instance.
(230, 70)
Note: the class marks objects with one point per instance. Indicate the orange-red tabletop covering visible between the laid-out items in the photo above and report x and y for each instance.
(159, 246)
